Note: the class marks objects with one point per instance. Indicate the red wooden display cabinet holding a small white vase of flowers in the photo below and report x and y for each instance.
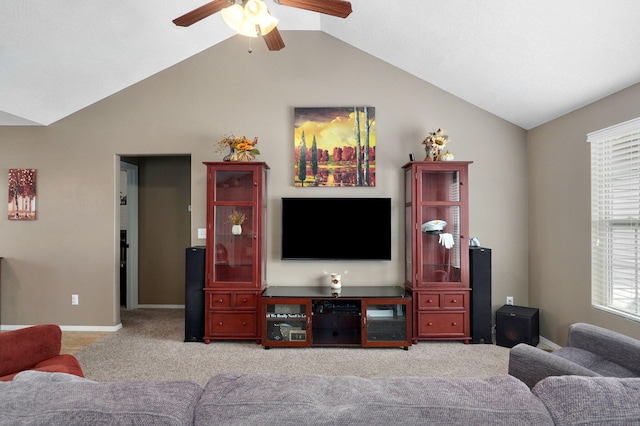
(235, 258)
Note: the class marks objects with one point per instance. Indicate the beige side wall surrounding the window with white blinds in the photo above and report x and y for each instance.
(560, 216)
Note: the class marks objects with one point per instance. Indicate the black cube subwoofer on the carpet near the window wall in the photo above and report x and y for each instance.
(517, 324)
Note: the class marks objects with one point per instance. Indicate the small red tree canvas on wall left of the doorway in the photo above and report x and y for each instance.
(22, 194)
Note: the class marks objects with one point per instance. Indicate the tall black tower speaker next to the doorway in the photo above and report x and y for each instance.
(194, 294)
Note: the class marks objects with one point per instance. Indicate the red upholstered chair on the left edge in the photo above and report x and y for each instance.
(35, 348)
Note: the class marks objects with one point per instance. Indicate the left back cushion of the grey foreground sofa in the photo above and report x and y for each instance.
(72, 403)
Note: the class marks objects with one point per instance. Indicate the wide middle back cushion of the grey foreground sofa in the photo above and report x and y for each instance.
(242, 399)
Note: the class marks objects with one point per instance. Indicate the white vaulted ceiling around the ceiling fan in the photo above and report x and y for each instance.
(525, 61)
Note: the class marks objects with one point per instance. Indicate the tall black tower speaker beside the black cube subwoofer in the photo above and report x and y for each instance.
(480, 281)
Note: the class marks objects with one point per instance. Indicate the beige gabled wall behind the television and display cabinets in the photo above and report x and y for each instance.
(73, 246)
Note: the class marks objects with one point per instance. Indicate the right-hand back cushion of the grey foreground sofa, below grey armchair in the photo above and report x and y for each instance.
(591, 400)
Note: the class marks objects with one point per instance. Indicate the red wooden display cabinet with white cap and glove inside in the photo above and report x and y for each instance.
(437, 248)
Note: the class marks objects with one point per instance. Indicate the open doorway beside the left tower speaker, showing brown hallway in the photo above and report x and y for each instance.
(155, 229)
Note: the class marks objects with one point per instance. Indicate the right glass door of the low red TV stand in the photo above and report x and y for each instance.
(387, 321)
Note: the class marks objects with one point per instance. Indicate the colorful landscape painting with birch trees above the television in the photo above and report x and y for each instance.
(335, 147)
